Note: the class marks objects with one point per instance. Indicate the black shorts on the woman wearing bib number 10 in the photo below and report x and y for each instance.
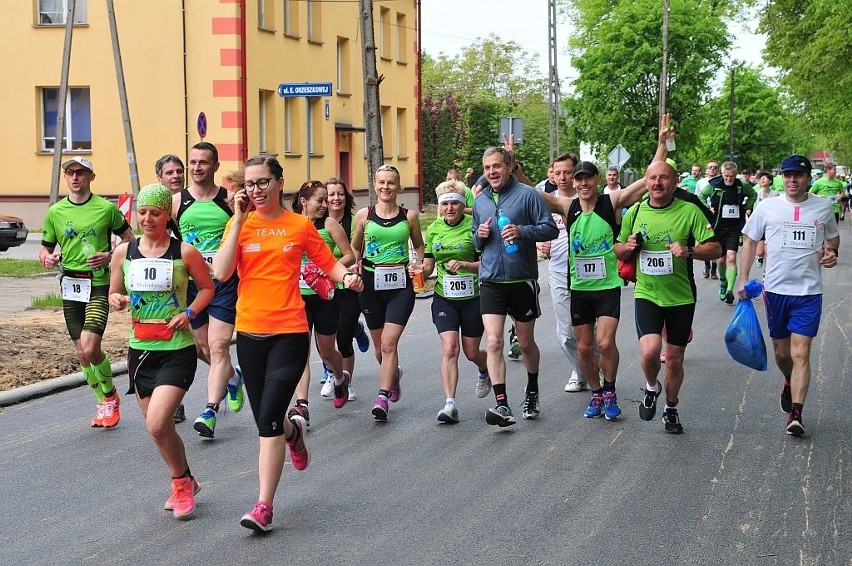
(149, 369)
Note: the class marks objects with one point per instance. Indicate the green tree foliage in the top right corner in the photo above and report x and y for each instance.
(808, 40)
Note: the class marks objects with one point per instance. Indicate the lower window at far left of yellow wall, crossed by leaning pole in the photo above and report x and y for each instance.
(78, 119)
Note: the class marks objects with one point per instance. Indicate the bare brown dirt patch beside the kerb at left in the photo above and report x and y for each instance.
(37, 346)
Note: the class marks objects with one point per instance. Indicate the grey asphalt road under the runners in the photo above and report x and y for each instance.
(734, 489)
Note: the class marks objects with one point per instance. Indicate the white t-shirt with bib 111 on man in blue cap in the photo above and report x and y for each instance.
(795, 235)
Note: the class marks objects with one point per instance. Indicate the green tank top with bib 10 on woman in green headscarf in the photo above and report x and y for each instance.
(167, 298)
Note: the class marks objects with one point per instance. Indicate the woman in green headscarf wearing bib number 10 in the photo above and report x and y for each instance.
(150, 276)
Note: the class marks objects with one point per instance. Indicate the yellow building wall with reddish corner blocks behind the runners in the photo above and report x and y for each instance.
(151, 36)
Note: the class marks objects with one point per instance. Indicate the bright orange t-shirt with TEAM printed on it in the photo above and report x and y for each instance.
(269, 258)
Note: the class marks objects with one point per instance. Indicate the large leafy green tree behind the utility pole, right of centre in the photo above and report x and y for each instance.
(617, 50)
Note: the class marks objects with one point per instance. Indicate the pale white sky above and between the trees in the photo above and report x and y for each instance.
(450, 25)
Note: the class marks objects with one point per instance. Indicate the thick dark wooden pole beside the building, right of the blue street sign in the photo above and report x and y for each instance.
(372, 108)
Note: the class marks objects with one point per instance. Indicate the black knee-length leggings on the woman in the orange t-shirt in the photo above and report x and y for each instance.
(272, 367)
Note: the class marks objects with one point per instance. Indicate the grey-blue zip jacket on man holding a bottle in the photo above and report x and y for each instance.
(526, 209)
